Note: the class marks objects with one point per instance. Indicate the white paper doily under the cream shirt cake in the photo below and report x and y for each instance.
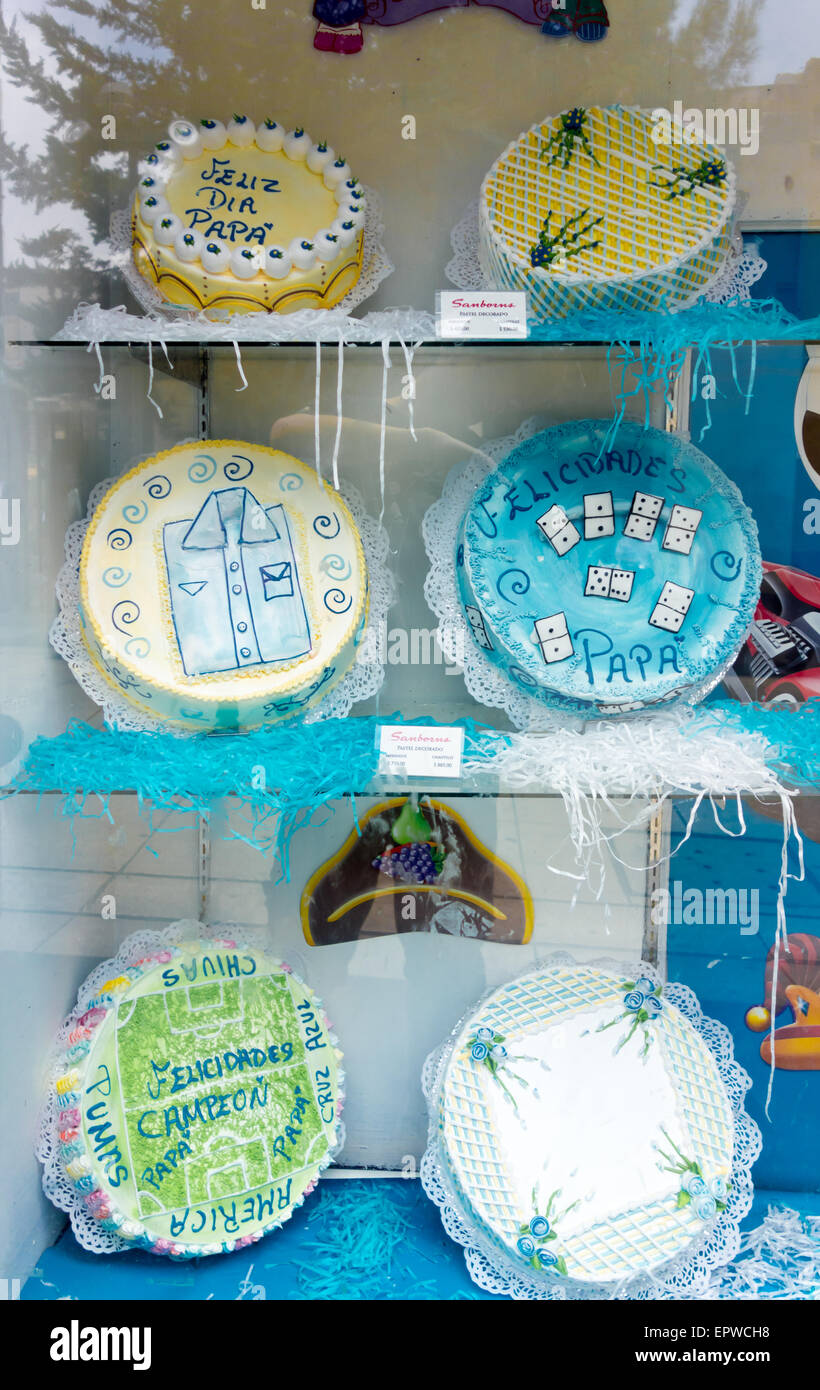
(362, 682)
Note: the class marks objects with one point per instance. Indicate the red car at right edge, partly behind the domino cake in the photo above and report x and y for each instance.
(780, 661)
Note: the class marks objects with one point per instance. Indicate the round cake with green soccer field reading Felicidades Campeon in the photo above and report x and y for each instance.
(198, 1099)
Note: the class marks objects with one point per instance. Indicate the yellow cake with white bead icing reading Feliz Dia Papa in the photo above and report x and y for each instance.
(247, 218)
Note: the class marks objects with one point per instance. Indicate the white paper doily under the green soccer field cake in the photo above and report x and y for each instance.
(58, 1185)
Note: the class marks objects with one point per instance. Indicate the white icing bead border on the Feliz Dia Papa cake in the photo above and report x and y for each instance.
(170, 156)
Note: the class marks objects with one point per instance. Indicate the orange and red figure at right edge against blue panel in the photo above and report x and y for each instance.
(794, 1046)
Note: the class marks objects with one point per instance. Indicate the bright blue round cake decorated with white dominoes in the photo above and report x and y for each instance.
(604, 579)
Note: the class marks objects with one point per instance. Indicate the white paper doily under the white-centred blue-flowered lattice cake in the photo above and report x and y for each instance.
(689, 1274)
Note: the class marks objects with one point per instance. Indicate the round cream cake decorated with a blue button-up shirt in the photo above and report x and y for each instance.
(223, 586)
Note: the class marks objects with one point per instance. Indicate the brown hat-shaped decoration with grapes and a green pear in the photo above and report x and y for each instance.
(415, 867)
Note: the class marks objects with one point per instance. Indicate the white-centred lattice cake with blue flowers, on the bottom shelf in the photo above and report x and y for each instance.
(583, 1129)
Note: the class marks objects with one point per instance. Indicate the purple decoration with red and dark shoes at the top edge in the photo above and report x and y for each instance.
(340, 22)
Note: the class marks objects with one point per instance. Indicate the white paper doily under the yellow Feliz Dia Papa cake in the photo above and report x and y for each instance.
(376, 268)
